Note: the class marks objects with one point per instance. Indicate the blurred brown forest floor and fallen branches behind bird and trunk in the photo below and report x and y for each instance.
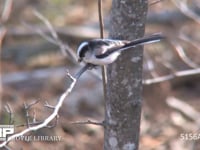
(34, 69)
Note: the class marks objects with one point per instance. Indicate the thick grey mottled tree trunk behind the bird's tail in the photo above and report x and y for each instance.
(124, 78)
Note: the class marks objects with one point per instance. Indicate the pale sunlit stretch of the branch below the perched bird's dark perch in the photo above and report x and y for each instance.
(47, 120)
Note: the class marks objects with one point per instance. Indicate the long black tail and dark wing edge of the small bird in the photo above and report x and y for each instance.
(141, 41)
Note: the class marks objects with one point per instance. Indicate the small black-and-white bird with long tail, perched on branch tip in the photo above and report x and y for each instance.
(106, 51)
